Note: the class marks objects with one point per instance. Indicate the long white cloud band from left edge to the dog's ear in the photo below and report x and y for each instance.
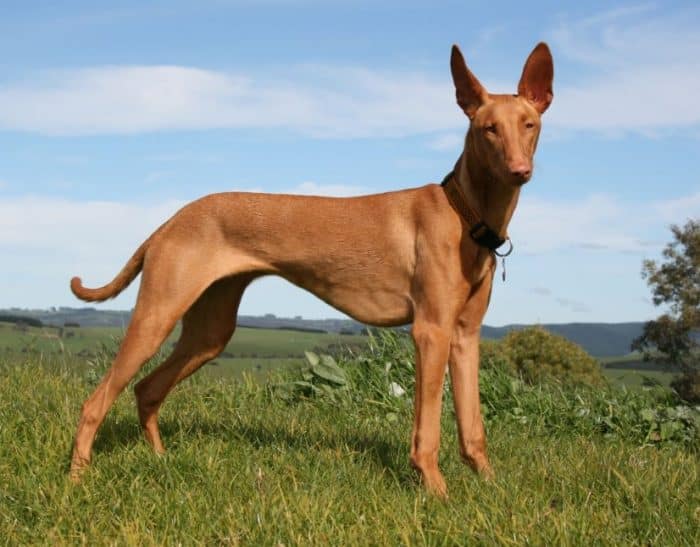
(315, 100)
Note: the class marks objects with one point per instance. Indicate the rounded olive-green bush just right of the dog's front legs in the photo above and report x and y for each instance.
(537, 354)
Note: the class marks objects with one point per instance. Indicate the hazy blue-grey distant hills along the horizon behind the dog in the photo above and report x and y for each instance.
(598, 339)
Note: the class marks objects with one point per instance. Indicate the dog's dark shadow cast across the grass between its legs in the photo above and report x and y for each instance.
(385, 455)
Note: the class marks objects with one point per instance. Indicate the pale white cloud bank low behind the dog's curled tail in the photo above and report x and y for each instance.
(45, 241)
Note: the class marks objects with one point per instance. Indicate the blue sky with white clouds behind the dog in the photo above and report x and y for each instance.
(111, 118)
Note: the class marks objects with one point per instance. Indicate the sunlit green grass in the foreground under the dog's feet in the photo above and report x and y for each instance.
(245, 466)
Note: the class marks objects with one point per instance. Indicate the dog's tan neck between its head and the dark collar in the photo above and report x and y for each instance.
(493, 200)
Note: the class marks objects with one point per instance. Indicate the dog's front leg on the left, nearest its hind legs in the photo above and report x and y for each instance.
(432, 346)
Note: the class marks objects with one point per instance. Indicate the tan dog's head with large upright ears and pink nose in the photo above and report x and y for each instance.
(504, 128)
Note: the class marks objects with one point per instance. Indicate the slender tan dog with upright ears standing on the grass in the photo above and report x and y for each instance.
(423, 255)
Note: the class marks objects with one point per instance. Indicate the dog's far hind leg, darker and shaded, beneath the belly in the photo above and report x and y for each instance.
(206, 329)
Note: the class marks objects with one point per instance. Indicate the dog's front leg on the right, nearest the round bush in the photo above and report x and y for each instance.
(464, 374)
